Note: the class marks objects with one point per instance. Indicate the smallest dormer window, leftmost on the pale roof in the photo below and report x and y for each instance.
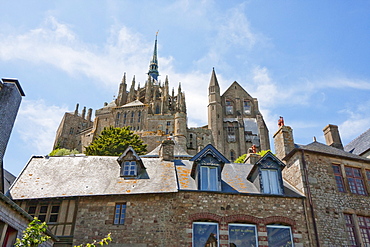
(131, 165)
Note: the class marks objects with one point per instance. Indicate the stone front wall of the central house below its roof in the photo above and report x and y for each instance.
(166, 219)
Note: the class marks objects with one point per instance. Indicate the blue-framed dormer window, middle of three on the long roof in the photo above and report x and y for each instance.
(207, 168)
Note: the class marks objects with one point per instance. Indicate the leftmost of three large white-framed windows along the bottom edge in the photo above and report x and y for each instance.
(205, 234)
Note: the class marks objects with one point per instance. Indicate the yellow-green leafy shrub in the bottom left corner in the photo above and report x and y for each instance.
(33, 235)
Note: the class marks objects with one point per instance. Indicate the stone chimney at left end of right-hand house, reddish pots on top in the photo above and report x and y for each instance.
(283, 141)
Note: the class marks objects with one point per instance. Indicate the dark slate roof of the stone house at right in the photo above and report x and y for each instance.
(325, 149)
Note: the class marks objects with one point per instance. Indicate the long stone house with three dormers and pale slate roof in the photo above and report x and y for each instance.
(165, 198)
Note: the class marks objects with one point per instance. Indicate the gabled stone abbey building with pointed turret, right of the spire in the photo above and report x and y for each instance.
(235, 120)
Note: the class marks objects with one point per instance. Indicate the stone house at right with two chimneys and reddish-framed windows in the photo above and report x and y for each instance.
(336, 184)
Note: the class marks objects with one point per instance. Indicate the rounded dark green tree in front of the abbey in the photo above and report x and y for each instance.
(114, 141)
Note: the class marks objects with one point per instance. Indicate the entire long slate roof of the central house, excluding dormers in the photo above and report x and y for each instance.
(46, 177)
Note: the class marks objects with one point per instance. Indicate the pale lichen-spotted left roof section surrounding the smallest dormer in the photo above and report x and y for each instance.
(46, 177)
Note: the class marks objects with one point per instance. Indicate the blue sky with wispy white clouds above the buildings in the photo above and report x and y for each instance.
(307, 61)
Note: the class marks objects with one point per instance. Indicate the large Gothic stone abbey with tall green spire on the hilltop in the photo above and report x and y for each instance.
(155, 112)
